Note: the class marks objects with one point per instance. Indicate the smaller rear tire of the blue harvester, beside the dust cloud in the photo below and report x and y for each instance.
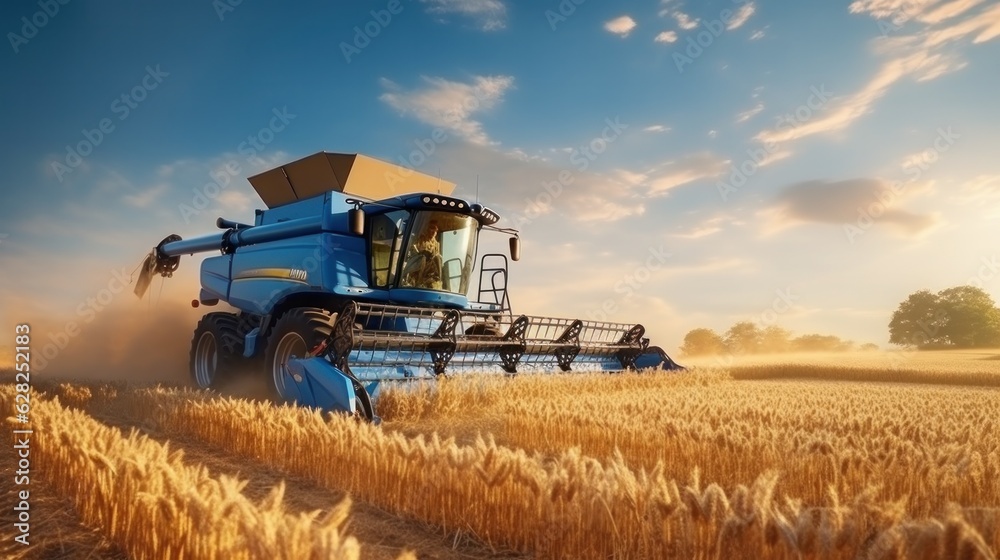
(213, 352)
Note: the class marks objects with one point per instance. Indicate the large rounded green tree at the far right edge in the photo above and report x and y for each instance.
(961, 317)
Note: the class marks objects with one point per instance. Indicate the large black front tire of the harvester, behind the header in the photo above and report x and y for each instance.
(294, 334)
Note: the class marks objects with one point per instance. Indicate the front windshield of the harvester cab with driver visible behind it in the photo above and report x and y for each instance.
(440, 252)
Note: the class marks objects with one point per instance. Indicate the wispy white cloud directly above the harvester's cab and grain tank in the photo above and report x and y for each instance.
(450, 105)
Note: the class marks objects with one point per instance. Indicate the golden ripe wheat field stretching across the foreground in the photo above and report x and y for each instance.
(811, 457)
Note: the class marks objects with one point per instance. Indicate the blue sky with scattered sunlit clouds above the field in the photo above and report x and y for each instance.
(673, 163)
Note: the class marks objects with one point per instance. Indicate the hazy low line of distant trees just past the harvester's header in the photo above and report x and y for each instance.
(746, 337)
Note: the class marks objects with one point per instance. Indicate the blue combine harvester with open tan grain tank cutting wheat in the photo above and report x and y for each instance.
(360, 271)
